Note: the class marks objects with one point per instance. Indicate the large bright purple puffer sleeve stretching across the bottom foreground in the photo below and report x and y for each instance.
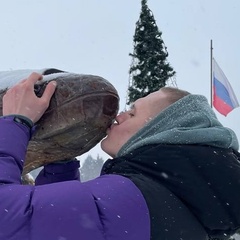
(108, 207)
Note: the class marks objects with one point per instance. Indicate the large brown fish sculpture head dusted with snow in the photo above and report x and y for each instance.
(80, 111)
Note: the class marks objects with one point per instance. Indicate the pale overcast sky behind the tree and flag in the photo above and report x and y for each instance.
(96, 36)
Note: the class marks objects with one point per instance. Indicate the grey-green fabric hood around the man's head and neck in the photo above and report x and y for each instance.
(190, 120)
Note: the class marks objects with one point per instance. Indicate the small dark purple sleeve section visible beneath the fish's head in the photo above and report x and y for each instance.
(58, 172)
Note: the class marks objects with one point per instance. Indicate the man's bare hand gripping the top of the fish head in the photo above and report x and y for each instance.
(21, 99)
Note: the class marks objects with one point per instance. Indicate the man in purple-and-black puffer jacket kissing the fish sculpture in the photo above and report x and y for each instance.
(174, 174)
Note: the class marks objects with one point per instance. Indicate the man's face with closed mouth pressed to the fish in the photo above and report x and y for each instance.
(129, 122)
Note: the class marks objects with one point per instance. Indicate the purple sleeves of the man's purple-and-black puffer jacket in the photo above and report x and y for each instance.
(108, 207)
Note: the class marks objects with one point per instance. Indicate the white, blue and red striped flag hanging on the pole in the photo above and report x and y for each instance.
(224, 99)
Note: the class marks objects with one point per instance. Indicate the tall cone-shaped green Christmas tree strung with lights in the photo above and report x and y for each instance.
(149, 70)
